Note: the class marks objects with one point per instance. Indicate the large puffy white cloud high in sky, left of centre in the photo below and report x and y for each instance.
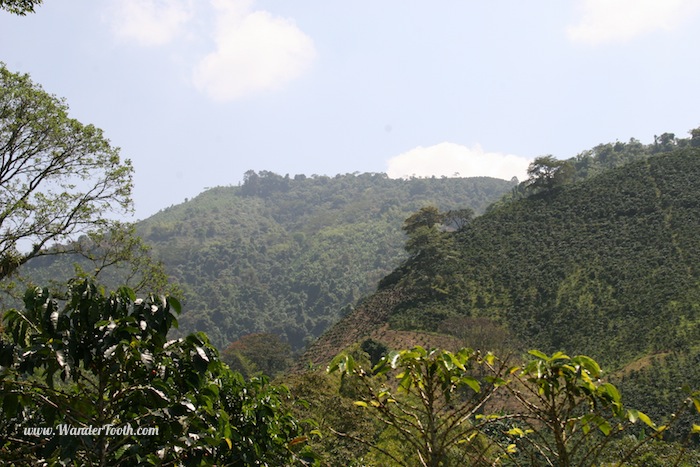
(255, 51)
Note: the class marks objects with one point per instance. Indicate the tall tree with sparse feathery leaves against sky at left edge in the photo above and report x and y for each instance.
(58, 177)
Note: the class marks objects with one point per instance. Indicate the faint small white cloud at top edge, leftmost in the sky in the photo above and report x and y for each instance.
(149, 22)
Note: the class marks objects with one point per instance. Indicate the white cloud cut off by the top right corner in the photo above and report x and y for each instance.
(609, 21)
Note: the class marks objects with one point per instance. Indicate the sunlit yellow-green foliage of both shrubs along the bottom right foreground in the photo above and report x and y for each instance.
(450, 408)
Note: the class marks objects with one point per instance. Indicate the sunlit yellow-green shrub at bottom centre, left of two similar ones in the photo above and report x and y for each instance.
(434, 407)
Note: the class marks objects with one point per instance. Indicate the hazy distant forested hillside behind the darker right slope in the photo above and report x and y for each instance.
(288, 255)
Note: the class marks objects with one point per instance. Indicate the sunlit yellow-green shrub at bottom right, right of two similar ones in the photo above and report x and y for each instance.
(568, 416)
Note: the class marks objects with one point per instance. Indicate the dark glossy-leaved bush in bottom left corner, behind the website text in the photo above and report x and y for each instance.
(97, 360)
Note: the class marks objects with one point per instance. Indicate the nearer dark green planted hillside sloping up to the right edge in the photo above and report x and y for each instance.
(605, 266)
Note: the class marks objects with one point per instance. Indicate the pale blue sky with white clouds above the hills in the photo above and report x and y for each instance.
(197, 92)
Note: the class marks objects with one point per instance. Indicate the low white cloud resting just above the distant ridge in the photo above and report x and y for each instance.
(449, 158)
